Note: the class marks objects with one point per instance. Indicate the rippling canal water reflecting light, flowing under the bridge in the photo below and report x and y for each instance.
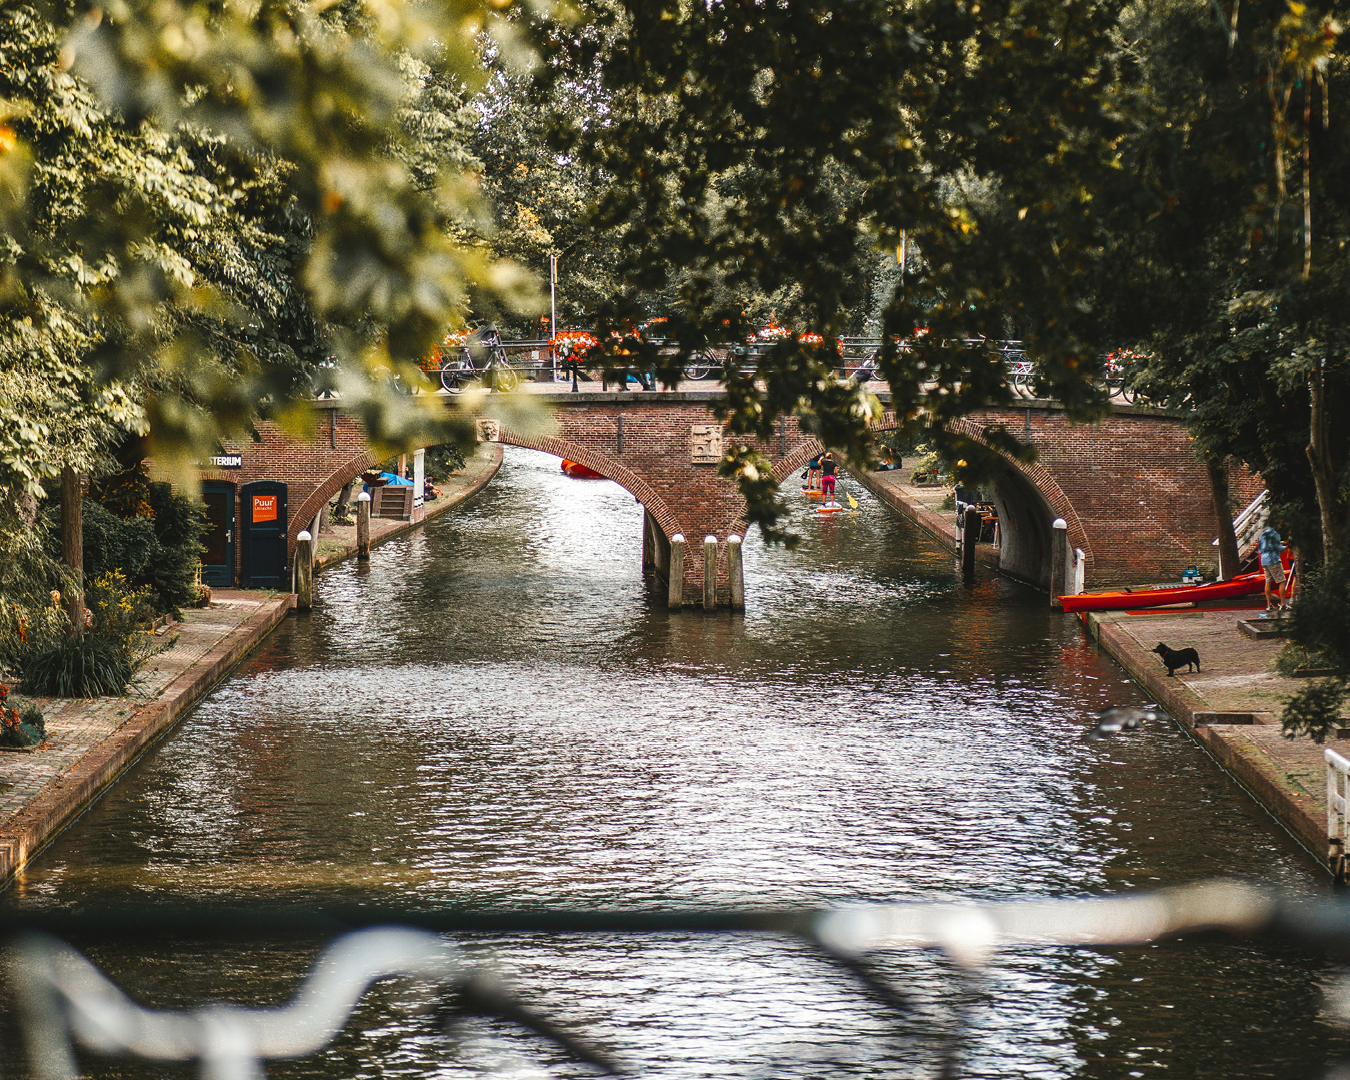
(502, 713)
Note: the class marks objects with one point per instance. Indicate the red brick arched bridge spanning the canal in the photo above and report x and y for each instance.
(1135, 499)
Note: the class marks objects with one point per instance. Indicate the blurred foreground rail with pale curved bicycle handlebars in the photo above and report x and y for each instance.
(68, 1005)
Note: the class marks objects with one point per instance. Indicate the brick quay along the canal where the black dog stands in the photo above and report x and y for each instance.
(1231, 707)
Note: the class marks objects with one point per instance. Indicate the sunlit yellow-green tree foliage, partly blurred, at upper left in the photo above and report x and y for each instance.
(219, 200)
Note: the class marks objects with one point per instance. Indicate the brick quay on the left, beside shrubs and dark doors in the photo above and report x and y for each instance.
(92, 742)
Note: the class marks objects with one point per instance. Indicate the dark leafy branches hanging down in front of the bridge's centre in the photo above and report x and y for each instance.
(749, 145)
